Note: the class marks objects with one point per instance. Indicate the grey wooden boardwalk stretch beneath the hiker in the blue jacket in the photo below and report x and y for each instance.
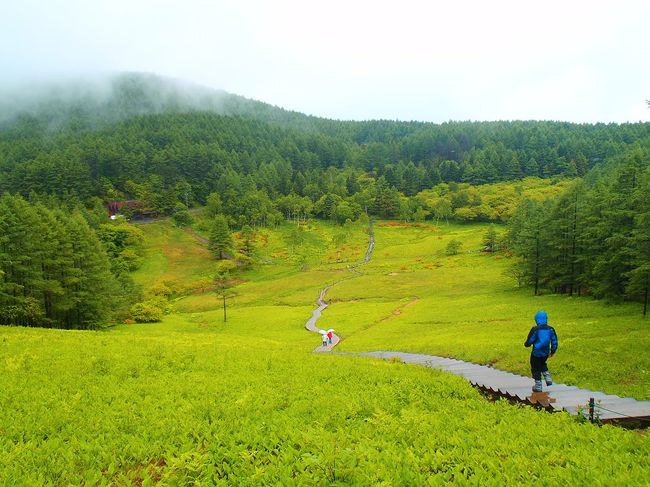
(558, 397)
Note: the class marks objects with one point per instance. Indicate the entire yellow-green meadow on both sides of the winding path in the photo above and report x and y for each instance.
(196, 401)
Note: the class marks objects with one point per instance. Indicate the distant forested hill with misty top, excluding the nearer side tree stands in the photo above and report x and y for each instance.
(141, 131)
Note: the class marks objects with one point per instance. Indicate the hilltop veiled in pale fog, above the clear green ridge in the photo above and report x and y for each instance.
(96, 100)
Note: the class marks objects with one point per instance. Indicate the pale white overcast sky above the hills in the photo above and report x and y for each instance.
(580, 61)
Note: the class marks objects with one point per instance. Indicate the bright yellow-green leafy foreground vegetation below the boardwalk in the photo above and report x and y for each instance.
(182, 403)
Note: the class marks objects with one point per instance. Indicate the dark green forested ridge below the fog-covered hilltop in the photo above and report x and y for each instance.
(211, 152)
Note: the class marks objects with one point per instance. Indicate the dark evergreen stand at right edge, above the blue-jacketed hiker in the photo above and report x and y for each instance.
(594, 239)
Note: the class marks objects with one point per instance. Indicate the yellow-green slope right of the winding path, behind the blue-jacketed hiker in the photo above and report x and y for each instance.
(415, 298)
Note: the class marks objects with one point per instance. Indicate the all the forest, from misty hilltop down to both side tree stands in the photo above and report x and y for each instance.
(71, 149)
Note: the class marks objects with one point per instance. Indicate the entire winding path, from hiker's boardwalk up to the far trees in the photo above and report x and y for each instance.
(516, 388)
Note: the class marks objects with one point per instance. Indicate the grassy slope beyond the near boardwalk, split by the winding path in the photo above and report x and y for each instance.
(410, 297)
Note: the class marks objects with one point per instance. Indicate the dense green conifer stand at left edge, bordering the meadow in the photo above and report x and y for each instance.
(54, 270)
